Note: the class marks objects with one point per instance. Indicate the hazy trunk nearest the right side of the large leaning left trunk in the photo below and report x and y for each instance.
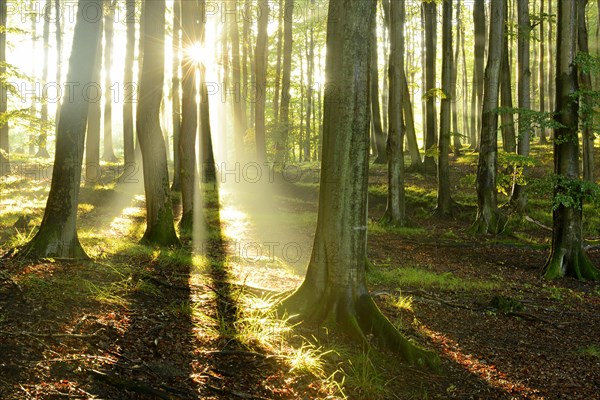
(93, 170)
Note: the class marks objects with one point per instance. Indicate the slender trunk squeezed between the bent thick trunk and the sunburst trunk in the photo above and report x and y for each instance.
(176, 95)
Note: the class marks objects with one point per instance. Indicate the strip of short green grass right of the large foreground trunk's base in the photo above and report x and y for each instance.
(419, 277)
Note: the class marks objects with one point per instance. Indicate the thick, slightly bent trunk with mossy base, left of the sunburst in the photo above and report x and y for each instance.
(159, 213)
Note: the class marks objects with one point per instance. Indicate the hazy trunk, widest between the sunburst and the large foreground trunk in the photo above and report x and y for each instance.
(260, 68)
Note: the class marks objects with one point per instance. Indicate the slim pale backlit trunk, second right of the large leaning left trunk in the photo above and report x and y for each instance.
(109, 153)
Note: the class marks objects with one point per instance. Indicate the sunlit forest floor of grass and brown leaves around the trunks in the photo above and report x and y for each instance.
(196, 322)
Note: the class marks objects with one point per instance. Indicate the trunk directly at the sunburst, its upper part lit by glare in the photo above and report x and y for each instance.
(189, 115)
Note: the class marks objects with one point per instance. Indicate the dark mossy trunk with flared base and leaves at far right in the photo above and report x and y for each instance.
(567, 258)
